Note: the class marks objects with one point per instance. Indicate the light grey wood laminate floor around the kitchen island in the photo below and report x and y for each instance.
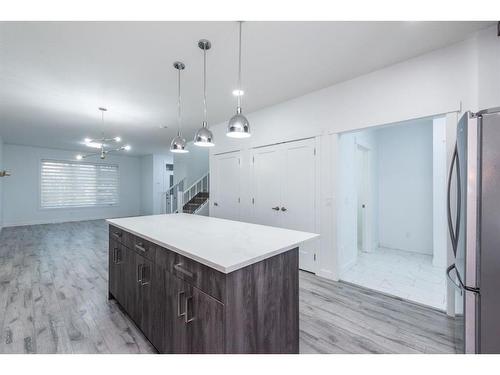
(53, 299)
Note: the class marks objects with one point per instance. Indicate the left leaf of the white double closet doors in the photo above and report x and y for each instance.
(267, 167)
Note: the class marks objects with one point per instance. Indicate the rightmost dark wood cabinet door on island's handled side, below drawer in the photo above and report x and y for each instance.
(204, 323)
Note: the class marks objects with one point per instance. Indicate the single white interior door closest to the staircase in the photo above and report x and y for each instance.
(226, 203)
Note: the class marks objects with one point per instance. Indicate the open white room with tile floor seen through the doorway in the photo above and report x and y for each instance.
(392, 227)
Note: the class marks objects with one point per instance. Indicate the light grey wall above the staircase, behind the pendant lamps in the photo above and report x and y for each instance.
(192, 165)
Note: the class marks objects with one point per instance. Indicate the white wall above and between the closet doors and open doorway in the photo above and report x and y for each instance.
(439, 82)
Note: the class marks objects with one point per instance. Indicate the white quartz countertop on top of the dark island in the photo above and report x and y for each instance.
(224, 245)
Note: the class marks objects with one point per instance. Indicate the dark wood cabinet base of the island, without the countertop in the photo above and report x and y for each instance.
(184, 306)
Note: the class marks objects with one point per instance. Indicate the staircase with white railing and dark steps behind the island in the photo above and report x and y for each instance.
(191, 200)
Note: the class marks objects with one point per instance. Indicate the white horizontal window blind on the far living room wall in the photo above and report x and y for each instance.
(73, 184)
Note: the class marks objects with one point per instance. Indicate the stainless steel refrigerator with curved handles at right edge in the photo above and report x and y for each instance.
(474, 226)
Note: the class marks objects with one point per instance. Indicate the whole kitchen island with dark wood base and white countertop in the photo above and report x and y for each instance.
(196, 284)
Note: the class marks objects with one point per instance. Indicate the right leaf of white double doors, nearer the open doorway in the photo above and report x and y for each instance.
(299, 195)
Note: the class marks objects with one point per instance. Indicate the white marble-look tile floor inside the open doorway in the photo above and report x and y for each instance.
(400, 273)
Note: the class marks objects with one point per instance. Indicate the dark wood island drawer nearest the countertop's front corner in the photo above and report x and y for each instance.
(204, 278)
